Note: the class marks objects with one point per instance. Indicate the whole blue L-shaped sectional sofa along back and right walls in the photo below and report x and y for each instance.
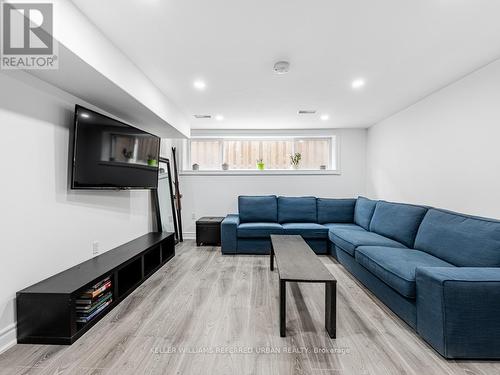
(437, 270)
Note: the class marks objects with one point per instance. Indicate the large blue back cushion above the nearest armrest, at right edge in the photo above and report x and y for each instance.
(462, 240)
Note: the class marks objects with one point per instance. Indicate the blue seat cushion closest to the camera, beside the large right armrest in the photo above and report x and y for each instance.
(396, 267)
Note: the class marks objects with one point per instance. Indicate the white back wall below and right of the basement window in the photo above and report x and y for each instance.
(217, 195)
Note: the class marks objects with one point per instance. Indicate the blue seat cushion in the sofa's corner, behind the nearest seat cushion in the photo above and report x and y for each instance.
(348, 239)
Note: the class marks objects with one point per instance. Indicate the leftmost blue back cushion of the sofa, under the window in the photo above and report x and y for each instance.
(258, 209)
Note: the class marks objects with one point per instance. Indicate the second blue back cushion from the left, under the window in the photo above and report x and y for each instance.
(297, 210)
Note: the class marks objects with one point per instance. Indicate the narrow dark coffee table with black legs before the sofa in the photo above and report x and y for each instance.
(297, 262)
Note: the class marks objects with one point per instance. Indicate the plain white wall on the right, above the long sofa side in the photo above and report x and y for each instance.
(443, 151)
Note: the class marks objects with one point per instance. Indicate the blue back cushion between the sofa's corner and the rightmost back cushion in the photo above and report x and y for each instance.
(397, 221)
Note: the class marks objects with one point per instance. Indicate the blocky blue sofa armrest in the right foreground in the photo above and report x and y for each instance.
(458, 311)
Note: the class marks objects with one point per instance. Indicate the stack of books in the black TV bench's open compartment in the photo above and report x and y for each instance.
(94, 300)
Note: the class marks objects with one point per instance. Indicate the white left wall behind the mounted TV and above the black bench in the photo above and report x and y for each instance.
(45, 227)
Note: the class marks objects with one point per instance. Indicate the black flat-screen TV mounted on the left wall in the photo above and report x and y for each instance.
(108, 154)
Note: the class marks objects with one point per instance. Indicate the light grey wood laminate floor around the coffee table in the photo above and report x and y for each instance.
(204, 313)
